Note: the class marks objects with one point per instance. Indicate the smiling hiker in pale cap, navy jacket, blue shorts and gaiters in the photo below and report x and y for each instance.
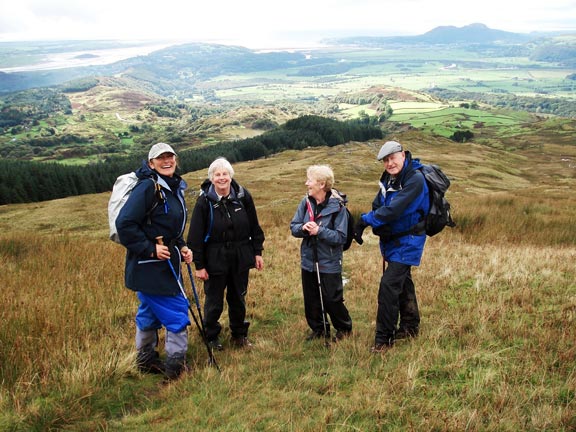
(150, 226)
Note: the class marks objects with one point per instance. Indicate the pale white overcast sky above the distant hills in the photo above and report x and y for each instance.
(264, 23)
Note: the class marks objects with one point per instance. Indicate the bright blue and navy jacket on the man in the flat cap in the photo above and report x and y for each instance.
(398, 206)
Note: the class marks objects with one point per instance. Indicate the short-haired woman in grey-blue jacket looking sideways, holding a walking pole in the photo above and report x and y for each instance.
(322, 223)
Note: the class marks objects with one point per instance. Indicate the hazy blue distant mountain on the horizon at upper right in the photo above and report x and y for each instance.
(470, 34)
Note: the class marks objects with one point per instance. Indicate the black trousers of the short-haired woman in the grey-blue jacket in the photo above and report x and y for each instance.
(333, 298)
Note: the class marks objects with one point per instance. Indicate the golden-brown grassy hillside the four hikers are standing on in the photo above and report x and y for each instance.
(497, 297)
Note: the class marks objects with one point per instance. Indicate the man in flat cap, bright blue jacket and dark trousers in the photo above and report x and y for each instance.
(397, 212)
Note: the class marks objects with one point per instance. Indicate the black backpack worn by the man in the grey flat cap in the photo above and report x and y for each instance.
(439, 215)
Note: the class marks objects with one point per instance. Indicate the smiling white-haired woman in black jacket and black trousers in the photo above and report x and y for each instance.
(227, 241)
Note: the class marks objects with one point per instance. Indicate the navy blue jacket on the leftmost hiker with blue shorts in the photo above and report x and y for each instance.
(138, 231)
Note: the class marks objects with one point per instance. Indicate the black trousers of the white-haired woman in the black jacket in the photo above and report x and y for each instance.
(236, 286)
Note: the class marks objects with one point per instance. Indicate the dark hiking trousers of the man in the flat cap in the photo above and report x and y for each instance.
(396, 297)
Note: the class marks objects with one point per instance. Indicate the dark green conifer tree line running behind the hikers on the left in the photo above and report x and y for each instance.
(26, 181)
